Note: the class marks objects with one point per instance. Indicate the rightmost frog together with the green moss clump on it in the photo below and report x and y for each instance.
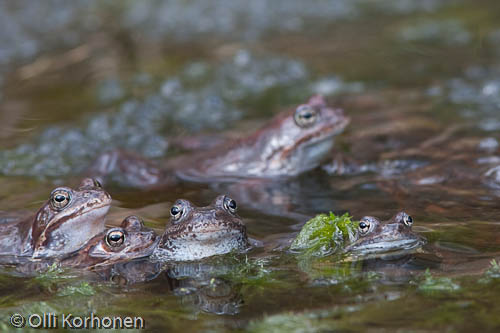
(325, 235)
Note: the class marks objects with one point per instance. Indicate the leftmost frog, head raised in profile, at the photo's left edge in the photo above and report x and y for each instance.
(62, 225)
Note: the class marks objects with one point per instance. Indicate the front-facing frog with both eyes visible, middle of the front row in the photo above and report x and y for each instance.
(198, 232)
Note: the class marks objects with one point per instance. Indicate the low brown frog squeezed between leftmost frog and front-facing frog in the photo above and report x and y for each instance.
(129, 241)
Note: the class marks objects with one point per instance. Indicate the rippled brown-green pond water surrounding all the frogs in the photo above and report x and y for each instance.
(420, 81)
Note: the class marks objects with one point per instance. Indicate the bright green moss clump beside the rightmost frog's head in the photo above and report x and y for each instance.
(324, 234)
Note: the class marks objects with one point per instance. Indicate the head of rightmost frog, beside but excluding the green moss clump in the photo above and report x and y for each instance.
(394, 235)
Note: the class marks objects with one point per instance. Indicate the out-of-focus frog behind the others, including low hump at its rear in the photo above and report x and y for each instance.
(290, 144)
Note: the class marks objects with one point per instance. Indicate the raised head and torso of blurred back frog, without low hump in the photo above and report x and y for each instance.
(290, 144)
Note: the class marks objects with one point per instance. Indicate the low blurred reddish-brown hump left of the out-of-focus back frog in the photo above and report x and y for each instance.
(130, 170)
